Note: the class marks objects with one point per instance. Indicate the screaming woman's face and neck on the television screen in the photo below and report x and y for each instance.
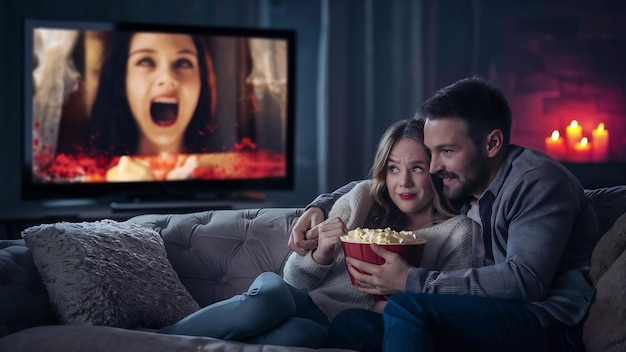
(162, 88)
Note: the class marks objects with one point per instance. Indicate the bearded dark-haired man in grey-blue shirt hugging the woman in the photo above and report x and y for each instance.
(527, 289)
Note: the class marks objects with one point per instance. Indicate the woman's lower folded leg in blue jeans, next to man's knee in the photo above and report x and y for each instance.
(294, 331)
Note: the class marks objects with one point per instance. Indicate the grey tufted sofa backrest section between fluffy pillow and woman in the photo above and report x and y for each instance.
(217, 254)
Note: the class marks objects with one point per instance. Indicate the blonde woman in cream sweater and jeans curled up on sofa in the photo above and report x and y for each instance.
(296, 312)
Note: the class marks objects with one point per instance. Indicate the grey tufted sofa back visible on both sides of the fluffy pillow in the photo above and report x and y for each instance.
(216, 254)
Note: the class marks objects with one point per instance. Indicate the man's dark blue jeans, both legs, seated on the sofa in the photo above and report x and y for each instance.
(439, 322)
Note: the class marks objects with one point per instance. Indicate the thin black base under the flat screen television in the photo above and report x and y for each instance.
(169, 206)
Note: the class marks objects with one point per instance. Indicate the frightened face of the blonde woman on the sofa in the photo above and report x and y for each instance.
(408, 180)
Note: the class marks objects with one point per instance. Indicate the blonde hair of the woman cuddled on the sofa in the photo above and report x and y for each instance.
(385, 213)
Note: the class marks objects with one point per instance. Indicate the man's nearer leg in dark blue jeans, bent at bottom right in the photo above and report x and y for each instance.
(440, 322)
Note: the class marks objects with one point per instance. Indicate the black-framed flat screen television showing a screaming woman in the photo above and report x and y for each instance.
(137, 111)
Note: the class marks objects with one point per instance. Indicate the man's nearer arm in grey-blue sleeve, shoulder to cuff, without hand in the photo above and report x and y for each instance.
(536, 224)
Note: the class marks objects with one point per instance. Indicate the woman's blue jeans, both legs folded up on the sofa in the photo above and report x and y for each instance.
(270, 312)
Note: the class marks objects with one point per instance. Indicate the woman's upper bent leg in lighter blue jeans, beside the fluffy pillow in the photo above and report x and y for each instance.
(267, 302)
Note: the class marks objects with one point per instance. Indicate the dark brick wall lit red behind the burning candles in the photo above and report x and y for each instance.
(557, 61)
